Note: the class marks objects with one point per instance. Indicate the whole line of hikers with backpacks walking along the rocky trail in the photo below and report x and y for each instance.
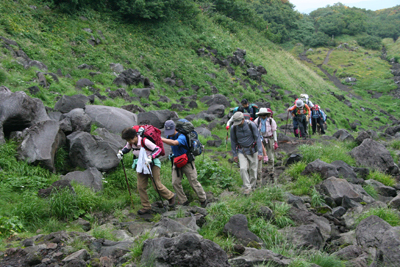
(253, 142)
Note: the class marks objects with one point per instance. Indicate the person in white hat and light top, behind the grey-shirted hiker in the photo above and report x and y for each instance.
(267, 128)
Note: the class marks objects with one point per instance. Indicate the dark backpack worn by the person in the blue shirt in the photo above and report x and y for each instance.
(185, 127)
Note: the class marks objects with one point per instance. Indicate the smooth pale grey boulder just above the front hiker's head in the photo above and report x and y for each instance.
(111, 118)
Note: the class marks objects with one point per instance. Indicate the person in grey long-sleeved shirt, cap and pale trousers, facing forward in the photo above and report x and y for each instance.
(247, 149)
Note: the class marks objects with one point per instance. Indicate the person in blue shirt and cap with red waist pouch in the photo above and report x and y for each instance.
(179, 146)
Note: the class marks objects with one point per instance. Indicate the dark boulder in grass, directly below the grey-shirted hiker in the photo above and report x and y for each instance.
(237, 227)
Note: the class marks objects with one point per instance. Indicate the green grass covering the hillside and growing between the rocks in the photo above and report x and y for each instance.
(158, 48)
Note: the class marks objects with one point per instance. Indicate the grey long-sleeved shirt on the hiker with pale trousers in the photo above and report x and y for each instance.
(244, 137)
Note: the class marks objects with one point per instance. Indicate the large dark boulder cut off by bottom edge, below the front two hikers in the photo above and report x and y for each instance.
(185, 251)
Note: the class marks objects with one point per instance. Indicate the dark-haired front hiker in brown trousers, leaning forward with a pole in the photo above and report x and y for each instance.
(134, 143)
